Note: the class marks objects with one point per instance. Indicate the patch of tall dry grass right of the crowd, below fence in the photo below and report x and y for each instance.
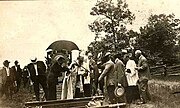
(162, 96)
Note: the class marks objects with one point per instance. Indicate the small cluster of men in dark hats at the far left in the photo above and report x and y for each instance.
(11, 79)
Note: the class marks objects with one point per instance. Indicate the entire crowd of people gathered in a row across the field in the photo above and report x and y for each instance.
(84, 77)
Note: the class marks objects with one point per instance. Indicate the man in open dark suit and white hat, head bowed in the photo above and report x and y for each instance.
(37, 71)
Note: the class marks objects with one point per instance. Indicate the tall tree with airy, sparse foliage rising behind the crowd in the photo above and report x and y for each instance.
(111, 21)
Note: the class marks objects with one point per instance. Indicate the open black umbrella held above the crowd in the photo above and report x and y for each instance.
(63, 44)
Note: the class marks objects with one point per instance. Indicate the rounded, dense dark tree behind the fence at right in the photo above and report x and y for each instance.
(158, 37)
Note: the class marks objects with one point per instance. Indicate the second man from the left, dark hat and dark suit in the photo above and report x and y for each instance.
(18, 74)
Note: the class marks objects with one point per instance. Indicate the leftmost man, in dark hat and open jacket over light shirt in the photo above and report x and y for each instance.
(8, 80)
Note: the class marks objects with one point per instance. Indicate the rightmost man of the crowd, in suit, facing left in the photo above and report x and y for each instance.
(144, 75)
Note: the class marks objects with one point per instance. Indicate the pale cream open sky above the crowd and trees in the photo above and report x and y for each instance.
(27, 28)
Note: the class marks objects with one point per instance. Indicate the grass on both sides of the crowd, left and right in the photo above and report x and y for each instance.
(160, 89)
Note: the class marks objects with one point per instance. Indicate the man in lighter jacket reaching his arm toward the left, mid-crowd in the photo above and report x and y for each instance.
(109, 73)
